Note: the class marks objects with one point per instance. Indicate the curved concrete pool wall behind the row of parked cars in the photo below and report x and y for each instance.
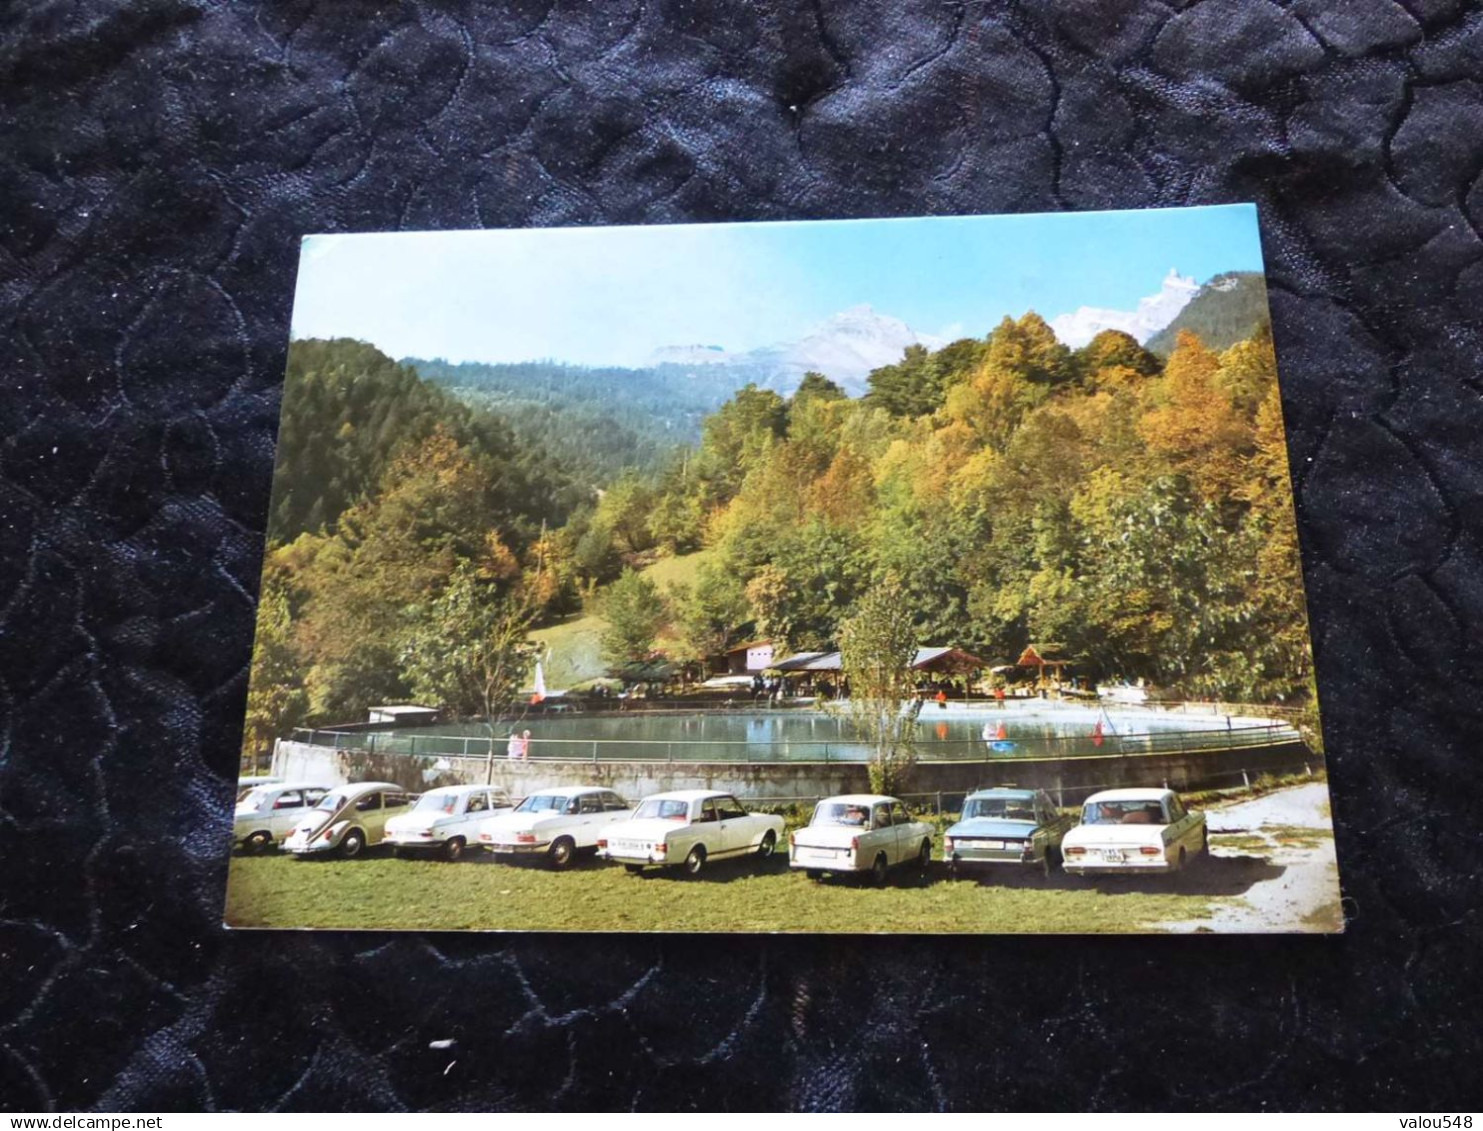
(1067, 779)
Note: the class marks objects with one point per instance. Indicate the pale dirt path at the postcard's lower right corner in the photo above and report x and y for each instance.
(1289, 838)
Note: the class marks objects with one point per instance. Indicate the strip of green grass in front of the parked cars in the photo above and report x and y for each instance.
(379, 892)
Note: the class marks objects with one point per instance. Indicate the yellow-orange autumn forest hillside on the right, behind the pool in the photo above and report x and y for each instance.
(1137, 511)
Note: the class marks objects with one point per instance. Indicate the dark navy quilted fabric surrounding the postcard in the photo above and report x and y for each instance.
(161, 159)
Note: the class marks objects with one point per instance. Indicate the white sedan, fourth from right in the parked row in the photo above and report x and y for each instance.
(689, 829)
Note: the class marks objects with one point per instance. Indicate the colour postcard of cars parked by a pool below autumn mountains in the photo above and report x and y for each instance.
(905, 576)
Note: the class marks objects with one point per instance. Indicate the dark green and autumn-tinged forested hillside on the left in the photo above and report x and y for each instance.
(410, 536)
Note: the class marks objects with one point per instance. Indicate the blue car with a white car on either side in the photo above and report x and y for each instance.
(1008, 828)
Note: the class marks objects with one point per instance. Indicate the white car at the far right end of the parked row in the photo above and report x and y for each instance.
(1132, 832)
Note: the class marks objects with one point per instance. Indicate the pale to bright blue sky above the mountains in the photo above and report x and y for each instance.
(613, 296)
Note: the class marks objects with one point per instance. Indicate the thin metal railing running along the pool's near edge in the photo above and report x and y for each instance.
(788, 751)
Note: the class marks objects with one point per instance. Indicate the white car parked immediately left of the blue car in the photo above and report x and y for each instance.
(861, 832)
